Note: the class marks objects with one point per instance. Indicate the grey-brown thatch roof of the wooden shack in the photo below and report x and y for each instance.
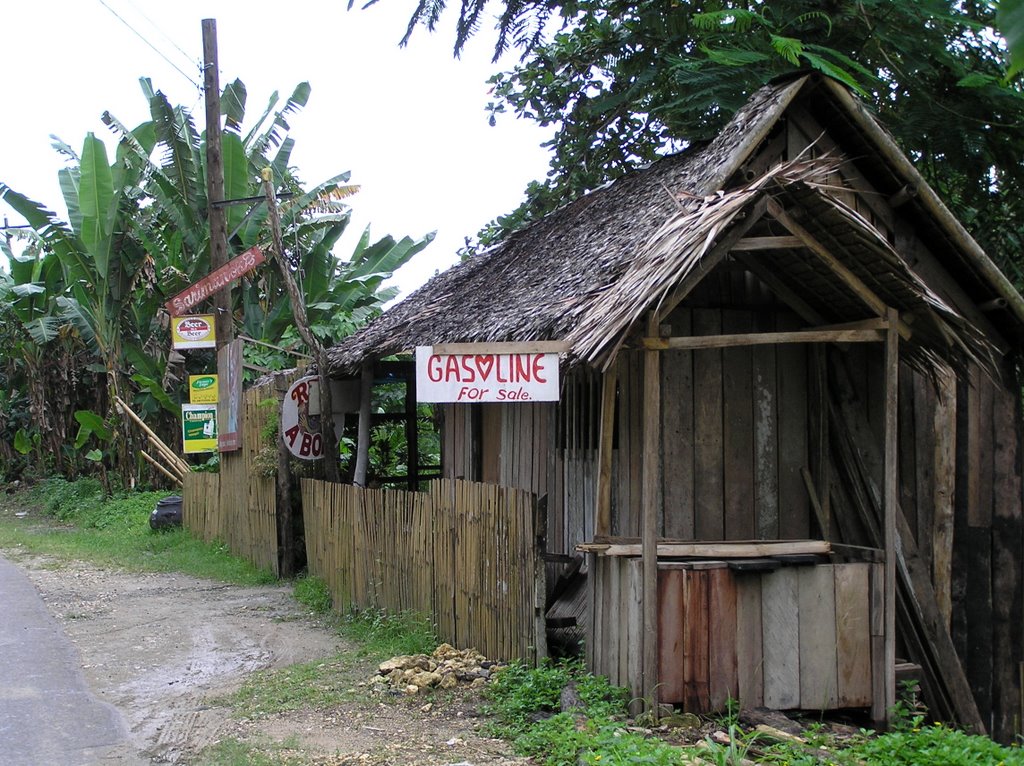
(589, 272)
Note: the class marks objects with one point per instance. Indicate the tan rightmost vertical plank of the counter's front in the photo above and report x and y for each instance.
(854, 636)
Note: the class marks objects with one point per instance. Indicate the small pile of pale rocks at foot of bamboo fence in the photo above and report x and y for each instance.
(446, 668)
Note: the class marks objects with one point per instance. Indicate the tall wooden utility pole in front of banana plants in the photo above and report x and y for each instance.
(216, 181)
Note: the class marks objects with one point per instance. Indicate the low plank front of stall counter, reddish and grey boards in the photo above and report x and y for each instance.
(797, 637)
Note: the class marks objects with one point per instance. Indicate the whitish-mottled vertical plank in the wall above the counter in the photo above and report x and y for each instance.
(765, 394)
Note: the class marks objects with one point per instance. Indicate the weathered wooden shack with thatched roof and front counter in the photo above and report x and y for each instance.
(789, 433)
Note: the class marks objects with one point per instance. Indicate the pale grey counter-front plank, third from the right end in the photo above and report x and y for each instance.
(781, 639)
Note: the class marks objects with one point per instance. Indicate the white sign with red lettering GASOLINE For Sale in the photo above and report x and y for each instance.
(486, 377)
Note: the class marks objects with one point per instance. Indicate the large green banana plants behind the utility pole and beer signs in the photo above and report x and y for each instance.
(83, 300)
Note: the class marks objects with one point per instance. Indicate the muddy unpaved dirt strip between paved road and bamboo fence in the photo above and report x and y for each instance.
(165, 650)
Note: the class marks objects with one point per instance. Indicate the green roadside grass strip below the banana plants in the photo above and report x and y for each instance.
(74, 521)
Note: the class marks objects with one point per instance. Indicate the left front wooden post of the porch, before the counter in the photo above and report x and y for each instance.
(650, 494)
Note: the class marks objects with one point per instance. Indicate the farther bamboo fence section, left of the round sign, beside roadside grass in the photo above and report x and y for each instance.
(239, 505)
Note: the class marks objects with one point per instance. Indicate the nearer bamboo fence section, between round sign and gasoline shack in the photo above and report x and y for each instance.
(464, 554)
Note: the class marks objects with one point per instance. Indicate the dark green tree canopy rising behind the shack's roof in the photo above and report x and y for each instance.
(627, 82)
